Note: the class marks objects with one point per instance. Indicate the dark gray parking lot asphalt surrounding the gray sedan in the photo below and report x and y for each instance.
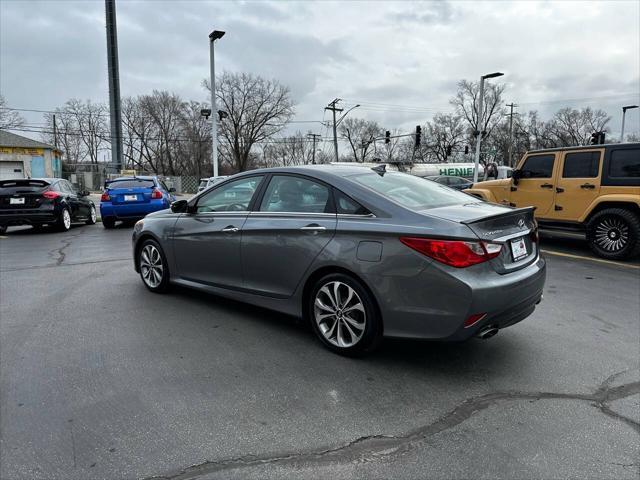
(100, 378)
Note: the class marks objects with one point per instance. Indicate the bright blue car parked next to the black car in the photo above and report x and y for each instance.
(131, 198)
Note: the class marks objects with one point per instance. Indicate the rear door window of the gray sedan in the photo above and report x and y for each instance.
(294, 194)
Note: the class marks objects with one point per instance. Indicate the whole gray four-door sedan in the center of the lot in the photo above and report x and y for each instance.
(359, 253)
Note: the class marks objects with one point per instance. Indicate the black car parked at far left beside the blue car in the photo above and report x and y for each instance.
(43, 201)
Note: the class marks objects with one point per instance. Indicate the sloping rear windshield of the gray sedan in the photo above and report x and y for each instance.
(410, 191)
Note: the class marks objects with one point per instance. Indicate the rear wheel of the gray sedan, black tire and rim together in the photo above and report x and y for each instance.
(347, 316)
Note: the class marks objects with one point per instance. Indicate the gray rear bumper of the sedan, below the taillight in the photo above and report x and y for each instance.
(449, 296)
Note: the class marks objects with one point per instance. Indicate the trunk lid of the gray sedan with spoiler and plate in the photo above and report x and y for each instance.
(515, 228)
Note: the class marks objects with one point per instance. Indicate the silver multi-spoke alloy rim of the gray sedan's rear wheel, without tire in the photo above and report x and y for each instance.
(340, 314)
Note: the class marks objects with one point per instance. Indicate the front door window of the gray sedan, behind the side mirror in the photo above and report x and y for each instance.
(231, 197)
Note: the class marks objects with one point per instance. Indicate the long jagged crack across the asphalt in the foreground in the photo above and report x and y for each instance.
(368, 448)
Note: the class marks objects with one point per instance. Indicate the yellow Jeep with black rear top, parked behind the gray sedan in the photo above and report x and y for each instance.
(595, 189)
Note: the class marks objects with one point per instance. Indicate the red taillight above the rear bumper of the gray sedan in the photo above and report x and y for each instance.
(456, 253)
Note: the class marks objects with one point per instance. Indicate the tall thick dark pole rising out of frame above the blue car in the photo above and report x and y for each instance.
(114, 85)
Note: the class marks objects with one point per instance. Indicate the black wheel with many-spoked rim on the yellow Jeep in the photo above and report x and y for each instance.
(614, 233)
